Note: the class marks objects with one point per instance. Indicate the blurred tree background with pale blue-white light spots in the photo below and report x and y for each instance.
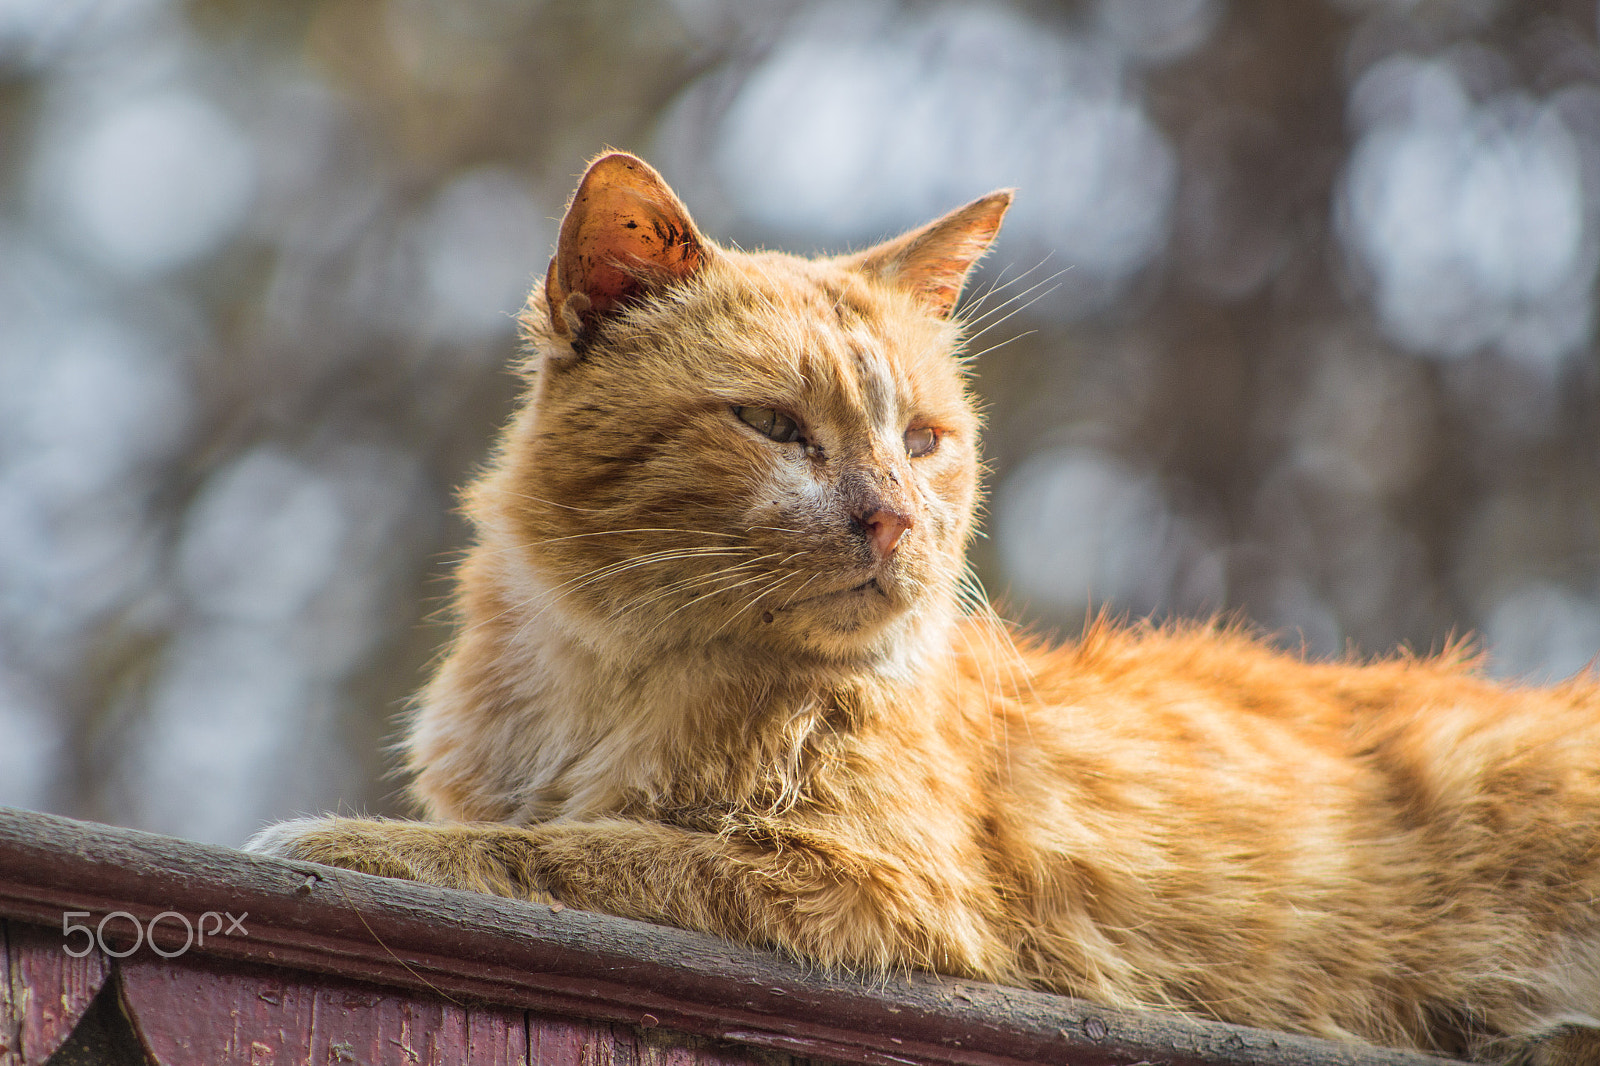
(1303, 326)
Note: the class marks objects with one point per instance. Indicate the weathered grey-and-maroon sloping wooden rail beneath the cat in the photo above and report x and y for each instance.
(591, 966)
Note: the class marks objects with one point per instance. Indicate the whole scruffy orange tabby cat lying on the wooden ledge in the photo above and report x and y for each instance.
(718, 670)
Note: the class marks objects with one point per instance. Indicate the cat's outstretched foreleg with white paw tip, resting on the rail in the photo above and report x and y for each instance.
(804, 892)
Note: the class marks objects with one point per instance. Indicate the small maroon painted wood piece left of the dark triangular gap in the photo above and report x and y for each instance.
(44, 992)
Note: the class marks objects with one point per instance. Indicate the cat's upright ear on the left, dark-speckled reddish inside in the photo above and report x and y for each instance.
(625, 234)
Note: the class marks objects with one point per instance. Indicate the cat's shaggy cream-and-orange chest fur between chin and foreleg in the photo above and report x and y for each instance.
(530, 723)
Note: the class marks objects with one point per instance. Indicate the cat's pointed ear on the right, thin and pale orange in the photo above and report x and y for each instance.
(935, 260)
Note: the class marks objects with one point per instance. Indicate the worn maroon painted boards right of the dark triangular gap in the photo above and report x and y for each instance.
(207, 1014)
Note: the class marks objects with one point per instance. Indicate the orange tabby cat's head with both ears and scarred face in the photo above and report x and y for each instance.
(756, 452)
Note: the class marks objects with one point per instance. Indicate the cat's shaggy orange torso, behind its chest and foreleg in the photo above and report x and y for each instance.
(1278, 822)
